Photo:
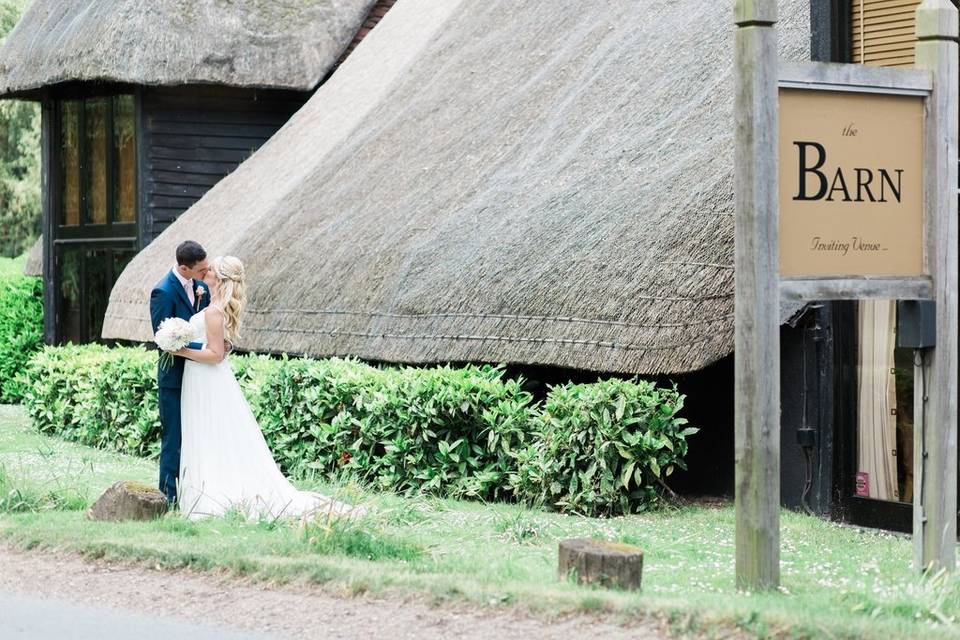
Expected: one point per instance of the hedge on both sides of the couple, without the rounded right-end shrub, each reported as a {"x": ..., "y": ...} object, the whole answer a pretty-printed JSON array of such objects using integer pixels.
[{"x": 446, "y": 431}]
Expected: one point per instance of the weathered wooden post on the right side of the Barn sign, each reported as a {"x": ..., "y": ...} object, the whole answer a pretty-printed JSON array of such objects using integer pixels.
[{"x": 935, "y": 504}]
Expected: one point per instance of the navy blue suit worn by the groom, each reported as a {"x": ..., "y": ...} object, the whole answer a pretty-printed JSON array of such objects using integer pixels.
[{"x": 169, "y": 300}]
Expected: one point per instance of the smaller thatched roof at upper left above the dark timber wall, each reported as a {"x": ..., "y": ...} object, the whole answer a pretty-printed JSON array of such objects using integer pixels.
[{"x": 289, "y": 44}]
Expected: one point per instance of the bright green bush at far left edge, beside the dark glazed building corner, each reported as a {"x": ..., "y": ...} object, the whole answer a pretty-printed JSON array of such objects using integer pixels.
[{"x": 21, "y": 331}]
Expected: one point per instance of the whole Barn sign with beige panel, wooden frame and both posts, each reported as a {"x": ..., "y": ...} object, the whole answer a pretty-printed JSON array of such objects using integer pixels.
[{"x": 846, "y": 188}]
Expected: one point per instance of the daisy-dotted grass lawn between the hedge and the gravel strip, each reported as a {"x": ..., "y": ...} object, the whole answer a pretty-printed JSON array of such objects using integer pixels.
[{"x": 837, "y": 582}]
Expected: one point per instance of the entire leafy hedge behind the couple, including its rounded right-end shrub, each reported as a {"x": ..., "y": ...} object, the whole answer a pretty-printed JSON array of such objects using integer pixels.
[{"x": 459, "y": 432}]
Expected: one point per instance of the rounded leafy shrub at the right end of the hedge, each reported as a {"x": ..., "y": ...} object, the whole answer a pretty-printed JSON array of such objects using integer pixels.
[{"x": 601, "y": 448}]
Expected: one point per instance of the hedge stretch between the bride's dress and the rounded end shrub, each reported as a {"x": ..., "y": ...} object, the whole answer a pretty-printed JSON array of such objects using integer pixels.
[{"x": 442, "y": 430}]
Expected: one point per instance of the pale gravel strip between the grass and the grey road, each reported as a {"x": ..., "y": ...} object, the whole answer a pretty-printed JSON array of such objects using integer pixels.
[{"x": 278, "y": 612}]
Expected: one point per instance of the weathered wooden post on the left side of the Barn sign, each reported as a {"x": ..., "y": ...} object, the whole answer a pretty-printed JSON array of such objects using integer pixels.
[{"x": 757, "y": 344}]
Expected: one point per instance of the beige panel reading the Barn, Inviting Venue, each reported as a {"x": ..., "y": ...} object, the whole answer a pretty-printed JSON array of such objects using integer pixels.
[{"x": 851, "y": 184}]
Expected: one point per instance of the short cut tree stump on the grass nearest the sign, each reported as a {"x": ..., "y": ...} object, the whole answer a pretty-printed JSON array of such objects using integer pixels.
[{"x": 609, "y": 564}]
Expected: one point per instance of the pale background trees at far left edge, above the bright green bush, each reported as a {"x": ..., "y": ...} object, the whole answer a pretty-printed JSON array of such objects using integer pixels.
[{"x": 19, "y": 159}]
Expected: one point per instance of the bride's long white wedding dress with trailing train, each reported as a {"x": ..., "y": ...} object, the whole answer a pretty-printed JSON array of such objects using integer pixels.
[{"x": 224, "y": 460}]
